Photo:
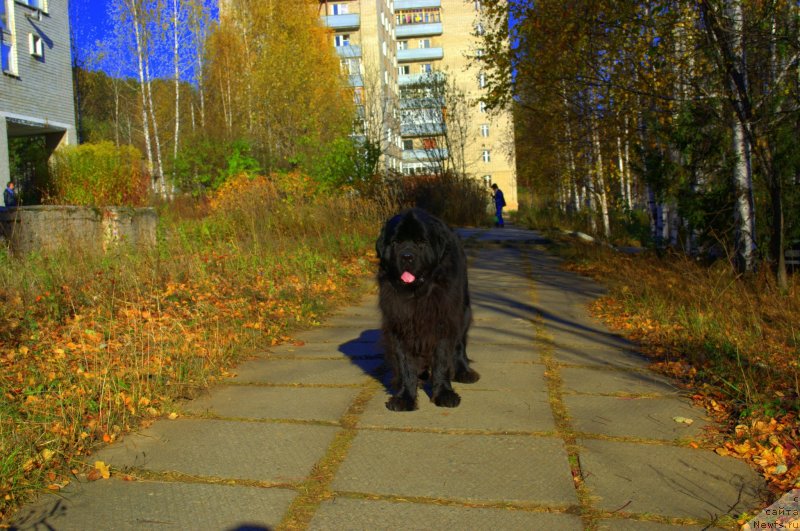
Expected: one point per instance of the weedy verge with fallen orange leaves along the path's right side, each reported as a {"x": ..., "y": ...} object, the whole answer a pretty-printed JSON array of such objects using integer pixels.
[{"x": 734, "y": 342}]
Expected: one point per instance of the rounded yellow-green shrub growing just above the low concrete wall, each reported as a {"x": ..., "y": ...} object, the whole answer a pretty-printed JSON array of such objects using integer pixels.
[{"x": 101, "y": 174}]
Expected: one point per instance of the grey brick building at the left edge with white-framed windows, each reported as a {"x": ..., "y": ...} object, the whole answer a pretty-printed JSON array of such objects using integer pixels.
[{"x": 36, "y": 93}]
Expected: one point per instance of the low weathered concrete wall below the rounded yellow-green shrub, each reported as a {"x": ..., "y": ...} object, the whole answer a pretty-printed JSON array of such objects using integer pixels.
[{"x": 84, "y": 229}]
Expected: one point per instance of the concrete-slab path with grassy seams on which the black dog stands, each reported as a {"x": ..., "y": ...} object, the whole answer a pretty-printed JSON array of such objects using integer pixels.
[{"x": 567, "y": 429}]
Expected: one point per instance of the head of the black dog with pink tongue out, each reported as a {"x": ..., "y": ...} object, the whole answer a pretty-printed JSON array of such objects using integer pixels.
[{"x": 410, "y": 247}]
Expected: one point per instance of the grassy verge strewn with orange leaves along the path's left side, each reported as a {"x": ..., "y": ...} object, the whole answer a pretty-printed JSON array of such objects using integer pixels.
[{"x": 91, "y": 346}]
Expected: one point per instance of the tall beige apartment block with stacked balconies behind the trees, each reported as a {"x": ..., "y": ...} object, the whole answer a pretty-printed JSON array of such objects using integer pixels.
[{"x": 421, "y": 53}]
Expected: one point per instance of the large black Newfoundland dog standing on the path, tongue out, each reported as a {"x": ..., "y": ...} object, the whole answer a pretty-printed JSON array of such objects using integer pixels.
[{"x": 424, "y": 299}]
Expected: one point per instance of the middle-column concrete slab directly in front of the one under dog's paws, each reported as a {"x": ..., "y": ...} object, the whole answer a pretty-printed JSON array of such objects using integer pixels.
[{"x": 468, "y": 467}]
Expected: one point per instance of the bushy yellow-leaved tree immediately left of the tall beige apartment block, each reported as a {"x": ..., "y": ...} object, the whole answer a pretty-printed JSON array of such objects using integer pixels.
[{"x": 277, "y": 81}]
